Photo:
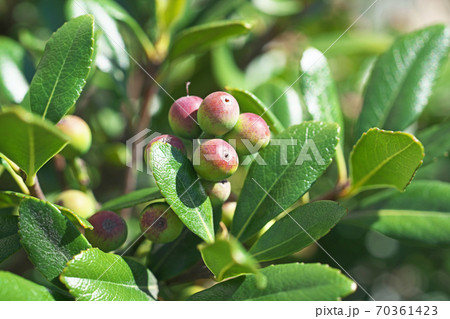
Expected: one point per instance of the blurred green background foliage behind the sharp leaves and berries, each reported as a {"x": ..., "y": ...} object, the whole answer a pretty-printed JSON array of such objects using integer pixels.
[{"x": 264, "y": 61}]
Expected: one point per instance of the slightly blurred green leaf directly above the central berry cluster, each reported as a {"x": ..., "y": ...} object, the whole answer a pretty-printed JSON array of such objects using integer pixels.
[{"x": 202, "y": 37}]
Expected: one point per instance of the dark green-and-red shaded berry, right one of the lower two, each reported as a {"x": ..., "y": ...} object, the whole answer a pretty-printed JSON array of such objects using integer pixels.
[{"x": 159, "y": 223}]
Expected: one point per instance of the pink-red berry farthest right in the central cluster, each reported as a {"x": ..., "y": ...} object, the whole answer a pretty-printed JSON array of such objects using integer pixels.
[{"x": 252, "y": 130}]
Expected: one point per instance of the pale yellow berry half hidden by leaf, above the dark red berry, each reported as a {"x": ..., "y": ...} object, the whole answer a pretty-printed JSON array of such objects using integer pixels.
[{"x": 82, "y": 204}]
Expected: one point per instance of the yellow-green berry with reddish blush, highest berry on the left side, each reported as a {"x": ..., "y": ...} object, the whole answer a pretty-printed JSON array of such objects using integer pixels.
[{"x": 79, "y": 133}]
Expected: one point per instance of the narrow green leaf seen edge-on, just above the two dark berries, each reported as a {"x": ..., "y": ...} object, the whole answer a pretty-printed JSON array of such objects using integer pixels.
[{"x": 132, "y": 199}]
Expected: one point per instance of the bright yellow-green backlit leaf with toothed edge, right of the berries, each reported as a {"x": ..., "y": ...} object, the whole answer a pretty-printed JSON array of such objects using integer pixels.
[{"x": 384, "y": 159}]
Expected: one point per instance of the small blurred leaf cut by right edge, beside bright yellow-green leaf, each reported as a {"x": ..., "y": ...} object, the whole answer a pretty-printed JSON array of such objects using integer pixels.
[{"x": 436, "y": 142}]
